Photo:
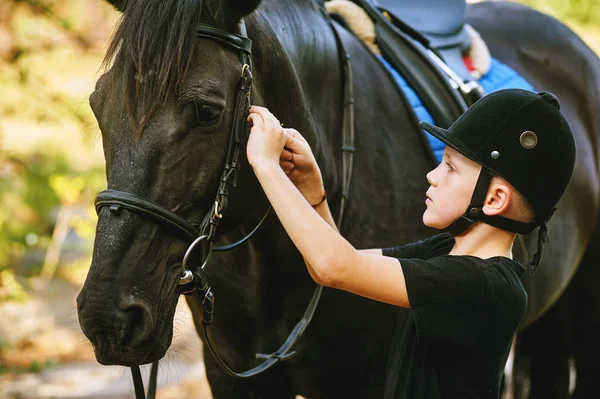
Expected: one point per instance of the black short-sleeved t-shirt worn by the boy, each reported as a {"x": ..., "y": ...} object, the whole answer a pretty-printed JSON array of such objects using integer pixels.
[{"x": 455, "y": 339}]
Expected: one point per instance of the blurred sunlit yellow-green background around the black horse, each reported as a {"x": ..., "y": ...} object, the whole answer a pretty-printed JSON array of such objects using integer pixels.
[{"x": 51, "y": 168}]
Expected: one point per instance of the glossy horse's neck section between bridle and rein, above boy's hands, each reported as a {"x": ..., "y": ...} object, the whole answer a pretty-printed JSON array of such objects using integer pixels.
[{"x": 299, "y": 71}]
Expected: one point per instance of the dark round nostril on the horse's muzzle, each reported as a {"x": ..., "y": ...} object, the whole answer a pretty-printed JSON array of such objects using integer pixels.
[{"x": 135, "y": 321}]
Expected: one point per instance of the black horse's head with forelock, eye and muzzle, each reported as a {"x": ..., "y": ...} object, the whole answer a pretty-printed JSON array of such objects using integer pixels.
[{"x": 166, "y": 112}]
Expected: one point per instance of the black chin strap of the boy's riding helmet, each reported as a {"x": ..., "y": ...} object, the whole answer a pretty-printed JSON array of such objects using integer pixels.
[{"x": 474, "y": 213}]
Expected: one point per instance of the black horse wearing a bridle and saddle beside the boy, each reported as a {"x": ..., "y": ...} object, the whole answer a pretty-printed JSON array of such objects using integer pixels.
[{"x": 165, "y": 108}]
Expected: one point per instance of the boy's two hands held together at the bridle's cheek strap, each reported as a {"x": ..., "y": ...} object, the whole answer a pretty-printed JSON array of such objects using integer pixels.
[{"x": 269, "y": 142}]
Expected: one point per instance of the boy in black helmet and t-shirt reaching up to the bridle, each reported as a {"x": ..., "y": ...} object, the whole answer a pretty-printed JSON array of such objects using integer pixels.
[{"x": 508, "y": 161}]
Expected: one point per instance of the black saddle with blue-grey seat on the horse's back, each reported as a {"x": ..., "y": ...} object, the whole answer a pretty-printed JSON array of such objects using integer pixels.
[{"x": 427, "y": 48}]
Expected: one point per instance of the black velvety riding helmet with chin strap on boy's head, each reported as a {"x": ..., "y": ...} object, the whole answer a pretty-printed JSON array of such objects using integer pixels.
[{"x": 522, "y": 137}]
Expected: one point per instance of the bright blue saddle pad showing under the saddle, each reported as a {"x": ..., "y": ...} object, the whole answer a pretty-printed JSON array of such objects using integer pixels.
[{"x": 500, "y": 76}]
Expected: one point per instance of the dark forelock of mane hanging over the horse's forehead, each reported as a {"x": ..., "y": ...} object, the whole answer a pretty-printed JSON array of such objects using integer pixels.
[{"x": 152, "y": 49}]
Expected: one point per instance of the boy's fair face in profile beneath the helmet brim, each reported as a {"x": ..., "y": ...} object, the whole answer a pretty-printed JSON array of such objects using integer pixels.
[{"x": 452, "y": 185}]
